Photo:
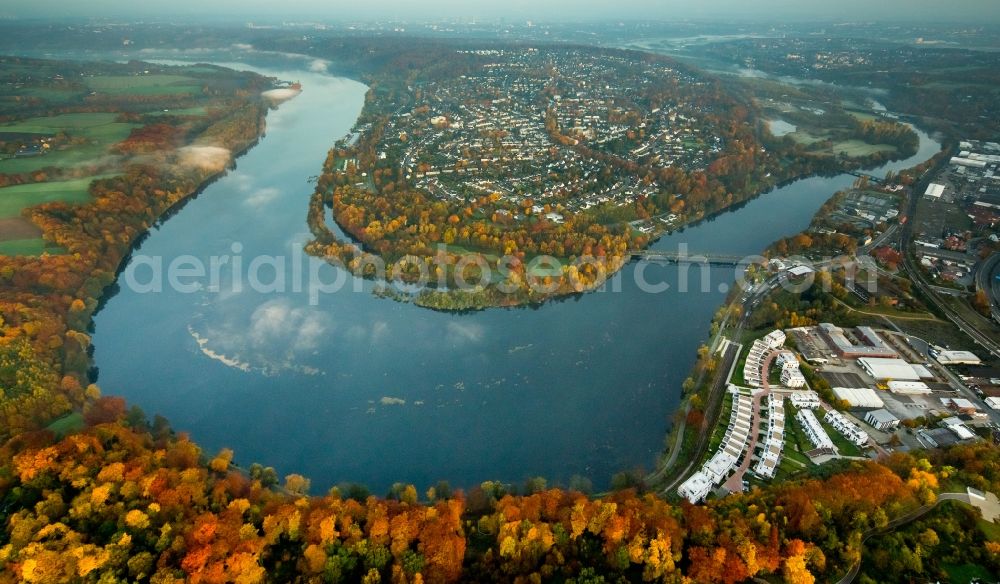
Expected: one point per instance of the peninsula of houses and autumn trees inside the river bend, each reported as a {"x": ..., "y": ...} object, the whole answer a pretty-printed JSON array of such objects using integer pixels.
[{"x": 399, "y": 200}]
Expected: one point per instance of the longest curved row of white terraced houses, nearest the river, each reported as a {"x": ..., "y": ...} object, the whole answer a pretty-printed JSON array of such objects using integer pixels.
[{"x": 734, "y": 443}]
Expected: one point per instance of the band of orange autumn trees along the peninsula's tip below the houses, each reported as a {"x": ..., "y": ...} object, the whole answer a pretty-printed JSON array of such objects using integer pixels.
[{"x": 419, "y": 236}]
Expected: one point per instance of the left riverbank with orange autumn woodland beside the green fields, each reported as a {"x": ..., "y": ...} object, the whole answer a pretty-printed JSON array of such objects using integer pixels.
[{"x": 47, "y": 303}]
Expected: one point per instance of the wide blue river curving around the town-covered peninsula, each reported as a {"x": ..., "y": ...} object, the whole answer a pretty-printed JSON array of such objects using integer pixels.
[{"x": 361, "y": 389}]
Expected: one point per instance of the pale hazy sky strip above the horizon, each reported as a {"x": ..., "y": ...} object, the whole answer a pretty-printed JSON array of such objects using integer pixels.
[{"x": 976, "y": 11}]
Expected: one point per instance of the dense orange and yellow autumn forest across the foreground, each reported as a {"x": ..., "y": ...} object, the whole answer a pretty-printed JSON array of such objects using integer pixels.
[{"x": 124, "y": 500}]
